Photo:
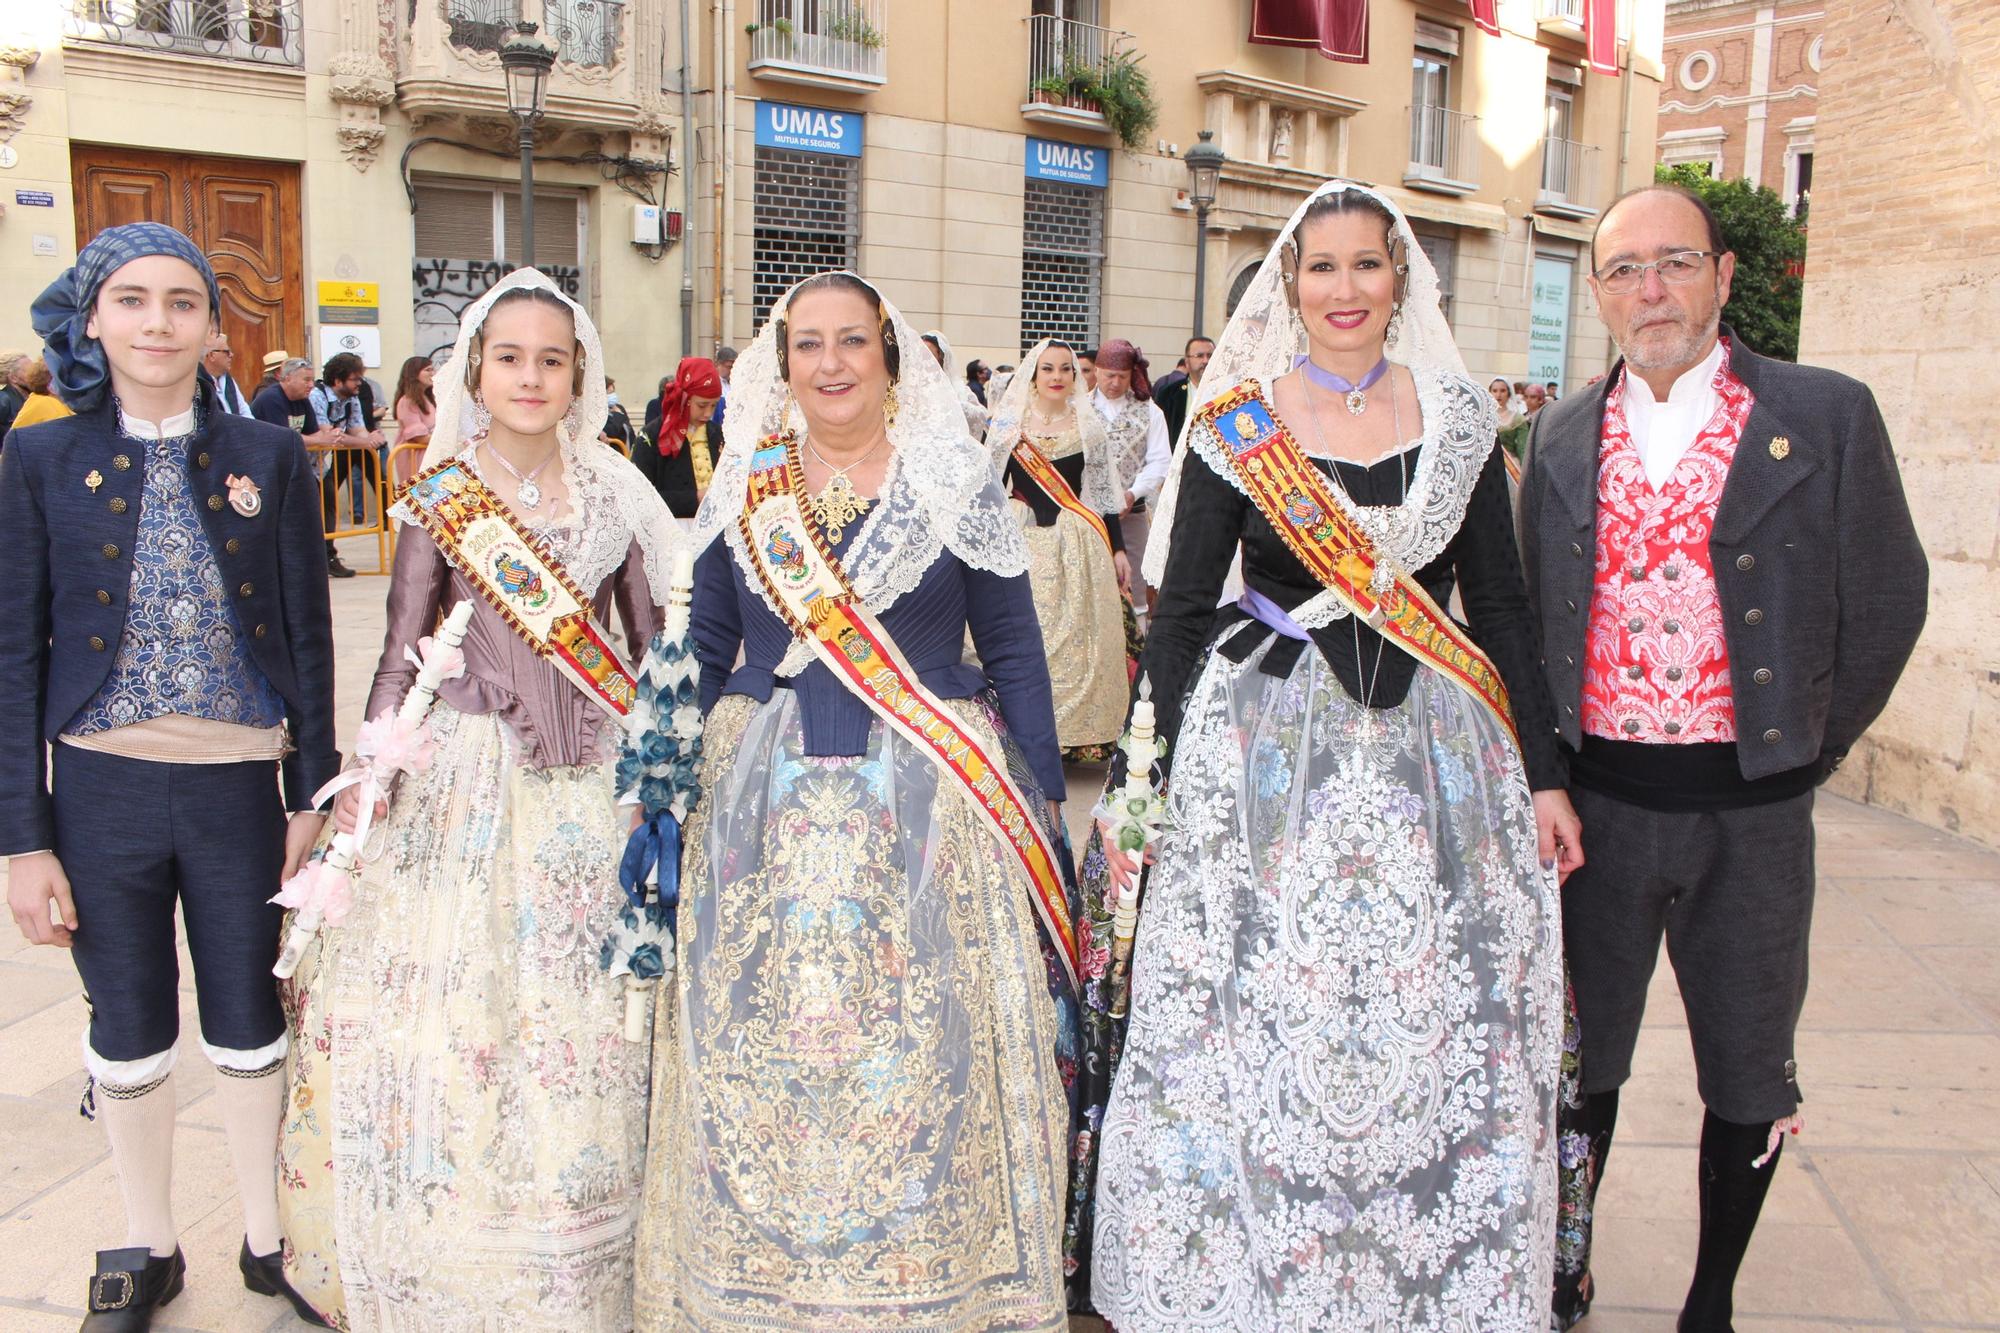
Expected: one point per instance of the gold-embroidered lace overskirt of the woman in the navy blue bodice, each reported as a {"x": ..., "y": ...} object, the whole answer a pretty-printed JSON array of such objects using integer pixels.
[{"x": 859, "y": 1120}]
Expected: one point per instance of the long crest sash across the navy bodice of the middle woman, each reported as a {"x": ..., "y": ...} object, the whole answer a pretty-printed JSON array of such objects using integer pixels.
[{"x": 809, "y": 587}]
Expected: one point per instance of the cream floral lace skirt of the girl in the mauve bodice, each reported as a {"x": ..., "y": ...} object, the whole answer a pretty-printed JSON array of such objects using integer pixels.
[{"x": 465, "y": 1060}]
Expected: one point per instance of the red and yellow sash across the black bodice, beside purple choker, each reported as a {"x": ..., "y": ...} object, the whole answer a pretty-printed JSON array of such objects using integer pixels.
[{"x": 1295, "y": 499}]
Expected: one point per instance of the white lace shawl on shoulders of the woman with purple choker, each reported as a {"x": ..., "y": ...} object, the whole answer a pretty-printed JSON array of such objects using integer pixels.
[{"x": 1459, "y": 431}]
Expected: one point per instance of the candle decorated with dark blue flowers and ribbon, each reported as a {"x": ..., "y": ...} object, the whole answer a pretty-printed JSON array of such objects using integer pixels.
[{"x": 659, "y": 770}]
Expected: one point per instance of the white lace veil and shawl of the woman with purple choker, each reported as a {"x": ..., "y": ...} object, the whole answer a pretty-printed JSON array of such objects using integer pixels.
[{"x": 1265, "y": 339}]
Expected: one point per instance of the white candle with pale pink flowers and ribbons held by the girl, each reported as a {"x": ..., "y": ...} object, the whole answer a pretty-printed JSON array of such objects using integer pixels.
[{"x": 389, "y": 746}]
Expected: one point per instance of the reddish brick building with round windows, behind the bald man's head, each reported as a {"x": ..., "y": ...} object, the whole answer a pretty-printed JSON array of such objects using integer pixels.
[{"x": 1743, "y": 87}]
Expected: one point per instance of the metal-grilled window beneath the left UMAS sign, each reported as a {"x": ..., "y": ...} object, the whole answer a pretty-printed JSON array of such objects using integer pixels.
[{"x": 809, "y": 219}]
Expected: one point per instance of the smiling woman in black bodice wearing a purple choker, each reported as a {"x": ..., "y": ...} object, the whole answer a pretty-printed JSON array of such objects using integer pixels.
[{"x": 1337, "y": 1098}]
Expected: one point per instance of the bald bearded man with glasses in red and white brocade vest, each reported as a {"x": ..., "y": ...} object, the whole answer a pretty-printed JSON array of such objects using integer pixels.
[{"x": 1727, "y": 583}]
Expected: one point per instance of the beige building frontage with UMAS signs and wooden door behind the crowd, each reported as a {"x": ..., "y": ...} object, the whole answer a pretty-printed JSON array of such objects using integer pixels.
[{"x": 359, "y": 151}]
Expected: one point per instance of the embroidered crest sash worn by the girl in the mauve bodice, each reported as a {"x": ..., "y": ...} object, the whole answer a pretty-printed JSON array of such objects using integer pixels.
[{"x": 533, "y": 593}]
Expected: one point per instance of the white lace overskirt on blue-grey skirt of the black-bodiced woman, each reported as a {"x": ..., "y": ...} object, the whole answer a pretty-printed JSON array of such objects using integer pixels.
[{"x": 1337, "y": 1102}]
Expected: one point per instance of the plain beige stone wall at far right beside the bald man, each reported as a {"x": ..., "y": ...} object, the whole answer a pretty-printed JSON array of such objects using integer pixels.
[{"x": 1903, "y": 289}]
